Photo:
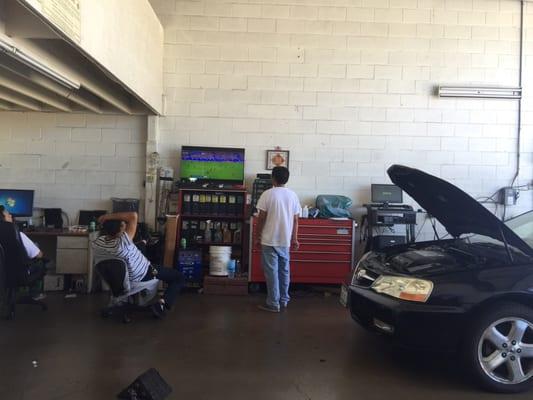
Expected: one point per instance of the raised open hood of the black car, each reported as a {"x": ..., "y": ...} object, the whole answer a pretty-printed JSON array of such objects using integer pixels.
[{"x": 454, "y": 209}]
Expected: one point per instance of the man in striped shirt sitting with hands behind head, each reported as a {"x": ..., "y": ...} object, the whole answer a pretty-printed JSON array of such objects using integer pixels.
[{"x": 116, "y": 242}]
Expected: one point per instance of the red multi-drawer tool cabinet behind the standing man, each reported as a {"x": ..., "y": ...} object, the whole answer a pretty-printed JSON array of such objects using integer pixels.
[{"x": 326, "y": 253}]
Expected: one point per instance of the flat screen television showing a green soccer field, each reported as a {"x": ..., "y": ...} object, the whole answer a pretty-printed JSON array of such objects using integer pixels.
[{"x": 212, "y": 165}]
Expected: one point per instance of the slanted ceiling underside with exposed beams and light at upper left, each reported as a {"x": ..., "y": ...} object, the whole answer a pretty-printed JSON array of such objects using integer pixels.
[{"x": 39, "y": 71}]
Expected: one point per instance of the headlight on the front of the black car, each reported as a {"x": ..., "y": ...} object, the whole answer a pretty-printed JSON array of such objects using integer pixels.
[{"x": 410, "y": 289}]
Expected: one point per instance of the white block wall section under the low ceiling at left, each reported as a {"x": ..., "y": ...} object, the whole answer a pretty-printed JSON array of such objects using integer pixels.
[{"x": 73, "y": 161}]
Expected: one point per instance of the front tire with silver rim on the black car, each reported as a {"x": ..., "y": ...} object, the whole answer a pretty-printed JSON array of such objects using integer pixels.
[{"x": 494, "y": 365}]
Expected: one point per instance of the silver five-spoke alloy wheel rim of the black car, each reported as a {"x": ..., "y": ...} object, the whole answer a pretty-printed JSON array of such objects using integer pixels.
[{"x": 505, "y": 350}]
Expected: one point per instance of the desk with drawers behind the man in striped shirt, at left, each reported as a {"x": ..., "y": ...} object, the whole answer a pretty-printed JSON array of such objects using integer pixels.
[{"x": 71, "y": 251}]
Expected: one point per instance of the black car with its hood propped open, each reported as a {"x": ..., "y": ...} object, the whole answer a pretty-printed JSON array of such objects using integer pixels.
[{"x": 471, "y": 292}]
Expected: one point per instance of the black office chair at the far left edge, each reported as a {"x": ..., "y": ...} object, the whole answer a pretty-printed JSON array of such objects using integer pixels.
[{"x": 15, "y": 267}]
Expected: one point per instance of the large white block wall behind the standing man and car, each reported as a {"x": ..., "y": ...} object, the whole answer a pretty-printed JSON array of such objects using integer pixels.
[{"x": 347, "y": 87}]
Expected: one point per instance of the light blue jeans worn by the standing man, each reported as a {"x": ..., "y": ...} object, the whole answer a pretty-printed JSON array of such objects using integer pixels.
[{"x": 277, "y": 274}]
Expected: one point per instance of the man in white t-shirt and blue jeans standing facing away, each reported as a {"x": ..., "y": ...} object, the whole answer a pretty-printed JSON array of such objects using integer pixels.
[{"x": 277, "y": 232}]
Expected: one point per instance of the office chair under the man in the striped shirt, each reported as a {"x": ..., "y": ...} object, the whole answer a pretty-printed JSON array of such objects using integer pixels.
[{"x": 125, "y": 298}]
